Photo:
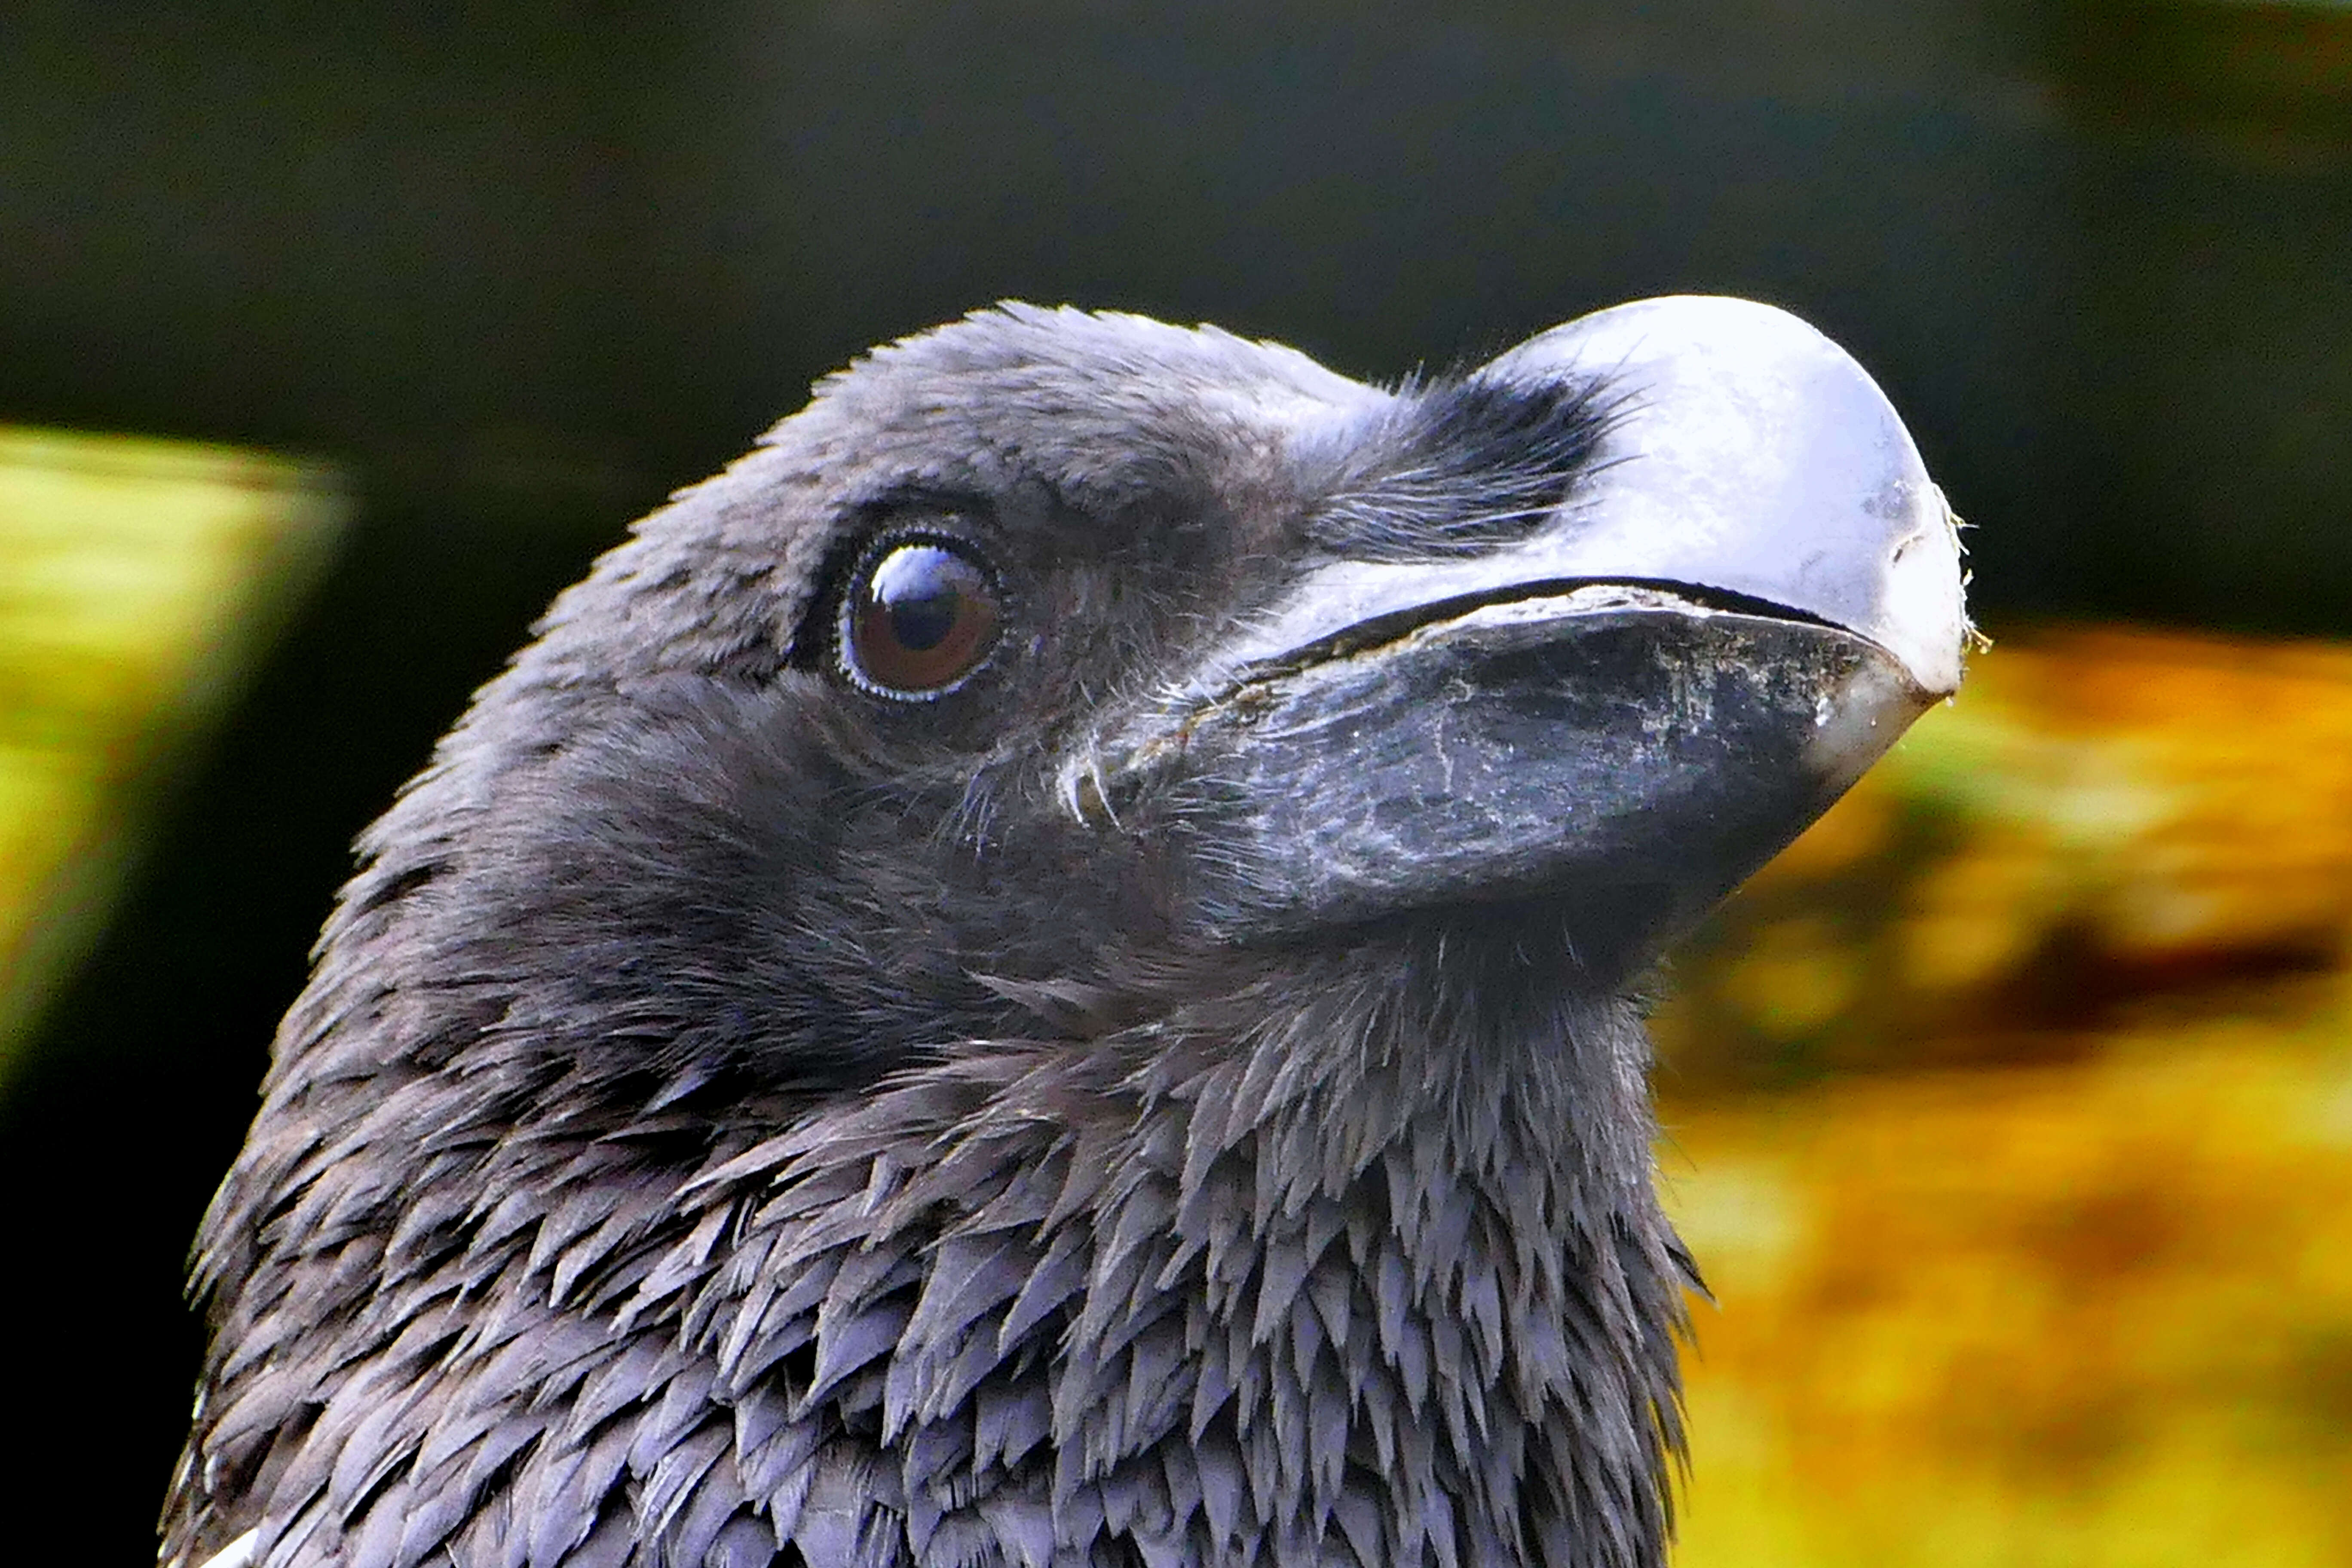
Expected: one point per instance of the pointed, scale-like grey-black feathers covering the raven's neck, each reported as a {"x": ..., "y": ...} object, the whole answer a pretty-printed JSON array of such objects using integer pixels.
[{"x": 1243, "y": 1285}]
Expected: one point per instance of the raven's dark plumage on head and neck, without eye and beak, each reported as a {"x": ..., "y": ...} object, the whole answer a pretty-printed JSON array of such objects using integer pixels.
[{"x": 742, "y": 1120}]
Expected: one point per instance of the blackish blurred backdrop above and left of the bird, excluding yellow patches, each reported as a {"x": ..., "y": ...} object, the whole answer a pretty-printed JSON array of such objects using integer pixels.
[{"x": 521, "y": 269}]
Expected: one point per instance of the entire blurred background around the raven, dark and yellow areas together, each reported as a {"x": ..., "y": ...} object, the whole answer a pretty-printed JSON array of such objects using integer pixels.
[{"x": 2012, "y": 1113}]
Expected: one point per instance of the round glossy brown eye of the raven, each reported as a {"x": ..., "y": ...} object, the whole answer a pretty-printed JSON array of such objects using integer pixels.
[{"x": 918, "y": 619}]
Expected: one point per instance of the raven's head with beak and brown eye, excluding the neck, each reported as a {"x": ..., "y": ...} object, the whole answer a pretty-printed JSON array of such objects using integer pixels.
[{"x": 1078, "y": 655}]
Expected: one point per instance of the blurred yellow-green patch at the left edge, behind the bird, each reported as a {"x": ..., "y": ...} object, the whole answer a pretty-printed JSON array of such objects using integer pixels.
[{"x": 138, "y": 584}]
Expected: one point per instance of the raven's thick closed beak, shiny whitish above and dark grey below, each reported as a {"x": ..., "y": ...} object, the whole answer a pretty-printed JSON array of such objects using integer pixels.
[{"x": 1749, "y": 594}]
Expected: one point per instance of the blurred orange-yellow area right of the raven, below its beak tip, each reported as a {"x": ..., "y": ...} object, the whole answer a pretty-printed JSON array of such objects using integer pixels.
[{"x": 2012, "y": 1123}]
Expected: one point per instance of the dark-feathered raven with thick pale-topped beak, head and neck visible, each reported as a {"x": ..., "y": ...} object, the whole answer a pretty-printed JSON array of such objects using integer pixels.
[{"x": 1050, "y": 972}]
